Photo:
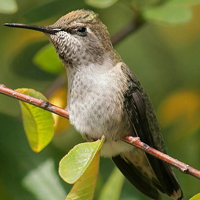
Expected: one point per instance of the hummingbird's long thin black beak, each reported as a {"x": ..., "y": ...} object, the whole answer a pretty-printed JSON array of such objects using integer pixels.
[{"x": 44, "y": 29}]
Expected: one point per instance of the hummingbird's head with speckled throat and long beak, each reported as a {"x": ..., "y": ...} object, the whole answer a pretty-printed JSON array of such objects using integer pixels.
[{"x": 79, "y": 37}]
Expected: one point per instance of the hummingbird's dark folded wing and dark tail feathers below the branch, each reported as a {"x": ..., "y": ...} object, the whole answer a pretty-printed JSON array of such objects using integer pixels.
[{"x": 144, "y": 123}]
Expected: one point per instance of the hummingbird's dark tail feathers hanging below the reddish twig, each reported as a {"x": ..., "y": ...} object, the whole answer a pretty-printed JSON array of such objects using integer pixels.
[{"x": 164, "y": 180}]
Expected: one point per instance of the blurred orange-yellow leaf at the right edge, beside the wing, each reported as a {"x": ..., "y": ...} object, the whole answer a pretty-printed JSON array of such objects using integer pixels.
[{"x": 181, "y": 111}]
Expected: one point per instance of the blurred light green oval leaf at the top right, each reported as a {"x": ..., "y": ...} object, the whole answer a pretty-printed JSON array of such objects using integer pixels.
[{"x": 168, "y": 13}]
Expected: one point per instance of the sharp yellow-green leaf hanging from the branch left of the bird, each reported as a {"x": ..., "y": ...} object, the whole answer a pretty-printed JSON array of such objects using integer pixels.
[{"x": 38, "y": 123}]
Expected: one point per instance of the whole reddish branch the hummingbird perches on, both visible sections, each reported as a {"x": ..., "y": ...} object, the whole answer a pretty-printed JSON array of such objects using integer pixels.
[{"x": 135, "y": 141}]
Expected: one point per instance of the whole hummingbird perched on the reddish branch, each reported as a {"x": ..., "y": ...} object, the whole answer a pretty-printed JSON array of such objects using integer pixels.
[{"x": 106, "y": 98}]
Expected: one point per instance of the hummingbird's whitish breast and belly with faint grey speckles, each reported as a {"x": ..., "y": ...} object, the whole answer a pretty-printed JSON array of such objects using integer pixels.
[{"x": 95, "y": 101}]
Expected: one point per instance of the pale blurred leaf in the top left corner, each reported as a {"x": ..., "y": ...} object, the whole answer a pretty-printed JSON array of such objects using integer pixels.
[{"x": 8, "y": 6}]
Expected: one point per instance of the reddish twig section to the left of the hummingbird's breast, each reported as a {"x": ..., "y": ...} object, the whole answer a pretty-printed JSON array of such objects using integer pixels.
[{"x": 34, "y": 101}]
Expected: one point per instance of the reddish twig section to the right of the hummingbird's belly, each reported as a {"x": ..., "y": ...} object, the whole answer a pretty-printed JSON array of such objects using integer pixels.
[{"x": 135, "y": 141}]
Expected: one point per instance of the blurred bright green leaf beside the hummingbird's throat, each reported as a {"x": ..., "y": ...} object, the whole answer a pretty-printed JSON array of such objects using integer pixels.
[{"x": 47, "y": 60}]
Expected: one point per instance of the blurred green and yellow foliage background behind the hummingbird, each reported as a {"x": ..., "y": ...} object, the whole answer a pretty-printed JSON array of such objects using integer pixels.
[{"x": 165, "y": 55}]
